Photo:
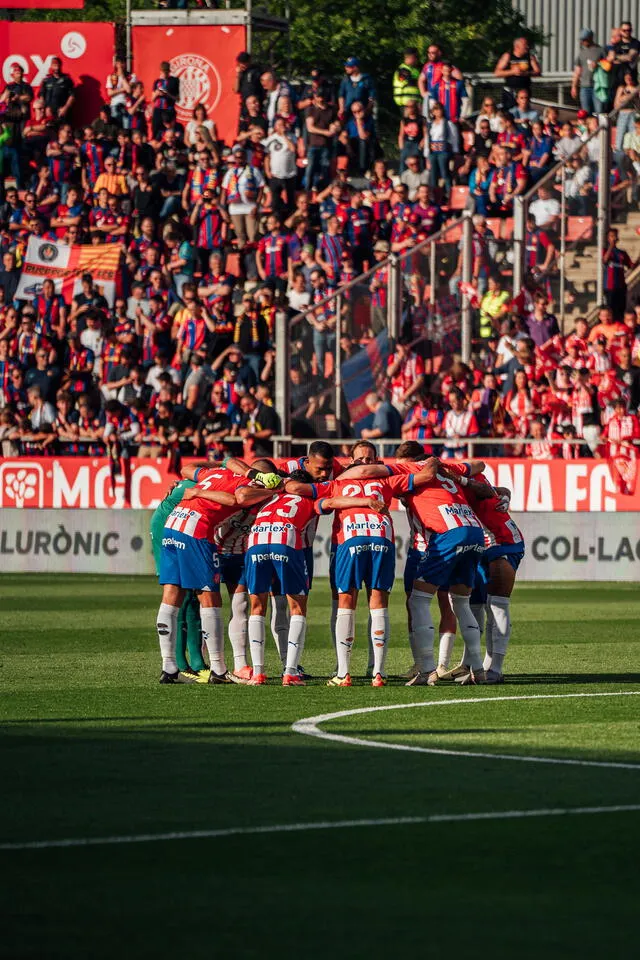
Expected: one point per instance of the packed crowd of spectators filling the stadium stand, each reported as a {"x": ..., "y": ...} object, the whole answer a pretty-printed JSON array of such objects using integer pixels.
[{"x": 217, "y": 236}]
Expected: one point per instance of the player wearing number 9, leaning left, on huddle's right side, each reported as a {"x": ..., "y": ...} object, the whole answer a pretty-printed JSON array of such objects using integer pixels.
[{"x": 455, "y": 542}]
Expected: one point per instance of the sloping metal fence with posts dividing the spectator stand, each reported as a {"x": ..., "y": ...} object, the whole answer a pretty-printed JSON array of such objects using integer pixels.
[{"x": 427, "y": 295}]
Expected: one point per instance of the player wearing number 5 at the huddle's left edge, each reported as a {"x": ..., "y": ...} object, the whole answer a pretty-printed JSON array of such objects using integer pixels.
[{"x": 189, "y": 561}]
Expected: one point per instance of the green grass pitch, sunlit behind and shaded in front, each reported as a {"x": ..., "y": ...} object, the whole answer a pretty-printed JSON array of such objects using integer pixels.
[{"x": 92, "y": 746}]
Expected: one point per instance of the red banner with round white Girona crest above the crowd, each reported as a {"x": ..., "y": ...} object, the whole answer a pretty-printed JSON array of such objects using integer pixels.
[{"x": 203, "y": 58}]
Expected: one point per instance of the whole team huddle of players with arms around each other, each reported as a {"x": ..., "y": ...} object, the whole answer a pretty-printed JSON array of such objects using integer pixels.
[{"x": 252, "y": 527}]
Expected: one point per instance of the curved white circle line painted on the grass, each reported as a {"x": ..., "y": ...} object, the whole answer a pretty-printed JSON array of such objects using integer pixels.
[{"x": 309, "y": 727}]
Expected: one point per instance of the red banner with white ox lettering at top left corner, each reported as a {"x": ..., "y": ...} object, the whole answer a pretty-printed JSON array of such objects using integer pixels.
[{"x": 86, "y": 50}]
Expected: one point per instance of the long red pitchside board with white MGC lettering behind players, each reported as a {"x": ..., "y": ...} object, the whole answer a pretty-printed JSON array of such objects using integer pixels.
[{"x": 563, "y": 486}]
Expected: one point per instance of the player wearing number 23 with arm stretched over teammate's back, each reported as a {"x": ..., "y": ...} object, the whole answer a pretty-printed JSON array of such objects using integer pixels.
[{"x": 275, "y": 552}]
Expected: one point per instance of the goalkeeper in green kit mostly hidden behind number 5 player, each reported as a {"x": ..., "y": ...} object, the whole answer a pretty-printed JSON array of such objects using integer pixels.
[{"x": 188, "y": 634}]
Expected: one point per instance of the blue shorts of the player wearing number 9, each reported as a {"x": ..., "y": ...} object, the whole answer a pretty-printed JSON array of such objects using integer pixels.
[{"x": 452, "y": 557}]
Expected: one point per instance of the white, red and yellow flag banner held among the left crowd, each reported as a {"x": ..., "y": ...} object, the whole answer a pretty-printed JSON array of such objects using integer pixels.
[{"x": 65, "y": 265}]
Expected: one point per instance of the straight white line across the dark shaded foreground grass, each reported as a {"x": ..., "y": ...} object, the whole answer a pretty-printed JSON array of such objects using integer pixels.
[{"x": 321, "y": 825}]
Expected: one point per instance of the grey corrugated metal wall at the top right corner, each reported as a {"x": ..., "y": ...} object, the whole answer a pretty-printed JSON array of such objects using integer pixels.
[{"x": 564, "y": 19}]
